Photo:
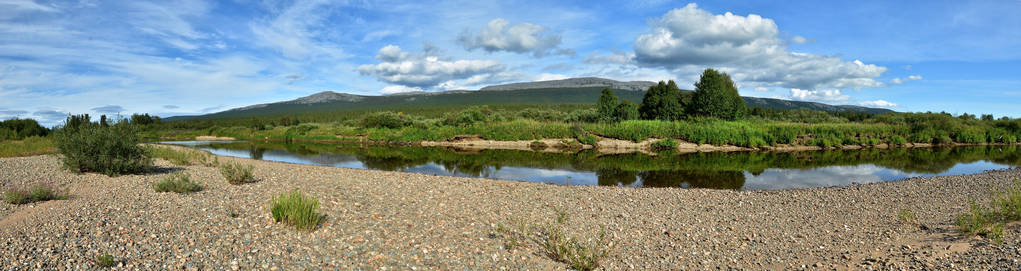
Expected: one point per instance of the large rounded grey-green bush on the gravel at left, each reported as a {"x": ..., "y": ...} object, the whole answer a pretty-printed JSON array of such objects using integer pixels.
[{"x": 112, "y": 151}]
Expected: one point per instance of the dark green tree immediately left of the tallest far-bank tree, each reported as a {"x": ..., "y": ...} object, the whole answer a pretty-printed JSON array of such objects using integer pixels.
[{"x": 662, "y": 102}]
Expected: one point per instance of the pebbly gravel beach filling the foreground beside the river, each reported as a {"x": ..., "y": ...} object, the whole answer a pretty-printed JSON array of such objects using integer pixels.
[{"x": 379, "y": 220}]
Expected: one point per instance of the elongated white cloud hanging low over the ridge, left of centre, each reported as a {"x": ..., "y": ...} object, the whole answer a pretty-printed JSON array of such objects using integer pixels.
[{"x": 425, "y": 70}]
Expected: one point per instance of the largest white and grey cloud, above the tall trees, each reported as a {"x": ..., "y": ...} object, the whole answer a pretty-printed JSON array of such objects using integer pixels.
[{"x": 750, "y": 49}]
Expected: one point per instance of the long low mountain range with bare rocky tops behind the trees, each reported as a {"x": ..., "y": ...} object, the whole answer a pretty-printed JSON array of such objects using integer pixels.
[{"x": 567, "y": 92}]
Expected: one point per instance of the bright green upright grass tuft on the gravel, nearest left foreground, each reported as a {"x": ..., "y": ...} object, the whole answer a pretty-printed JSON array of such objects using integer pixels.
[{"x": 298, "y": 210}]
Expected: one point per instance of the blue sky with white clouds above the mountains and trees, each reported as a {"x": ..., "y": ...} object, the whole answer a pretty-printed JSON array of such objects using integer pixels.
[{"x": 195, "y": 57}]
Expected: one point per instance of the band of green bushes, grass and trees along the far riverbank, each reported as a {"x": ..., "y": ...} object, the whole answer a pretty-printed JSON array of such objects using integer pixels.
[{"x": 712, "y": 114}]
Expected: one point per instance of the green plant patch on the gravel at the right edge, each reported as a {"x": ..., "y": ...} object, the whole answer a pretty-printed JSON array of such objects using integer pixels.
[{"x": 989, "y": 221}]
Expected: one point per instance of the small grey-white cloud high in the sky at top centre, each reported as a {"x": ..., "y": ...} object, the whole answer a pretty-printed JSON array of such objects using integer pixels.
[{"x": 499, "y": 35}]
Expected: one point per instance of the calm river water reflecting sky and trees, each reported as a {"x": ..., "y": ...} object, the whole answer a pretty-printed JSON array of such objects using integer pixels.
[{"x": 750, "y": 171}]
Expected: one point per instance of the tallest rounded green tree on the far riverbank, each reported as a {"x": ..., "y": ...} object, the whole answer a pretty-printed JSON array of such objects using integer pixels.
[{"x": 716, "y": 97}]
